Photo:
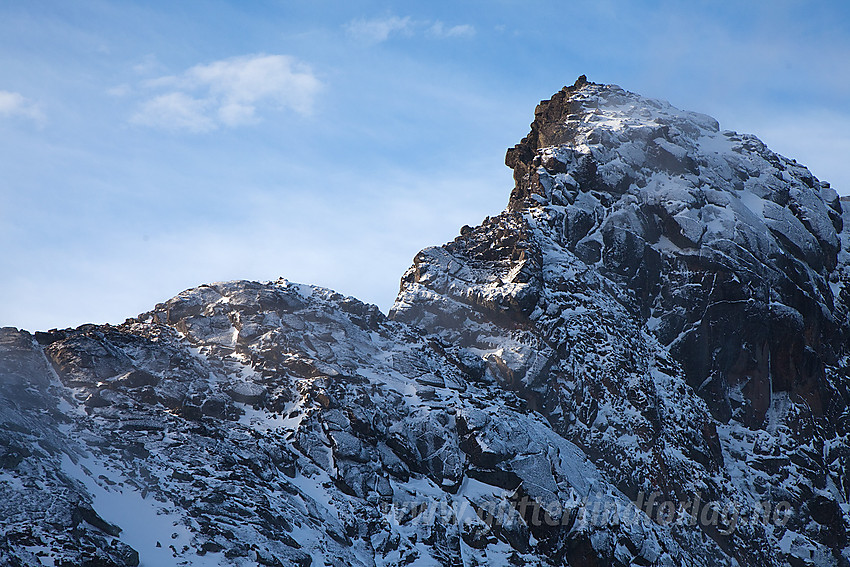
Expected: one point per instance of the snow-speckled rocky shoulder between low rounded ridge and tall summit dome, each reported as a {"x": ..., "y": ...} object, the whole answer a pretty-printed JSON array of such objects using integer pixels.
[{"x": 549, "y": 328}]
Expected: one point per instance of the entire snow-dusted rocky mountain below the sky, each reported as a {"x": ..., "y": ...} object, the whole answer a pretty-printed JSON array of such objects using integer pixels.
[{"x": 642, "y": 361}]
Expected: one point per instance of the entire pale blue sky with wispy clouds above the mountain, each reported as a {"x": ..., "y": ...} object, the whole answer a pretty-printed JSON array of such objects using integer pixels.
[{"x": 150, "y": 147}]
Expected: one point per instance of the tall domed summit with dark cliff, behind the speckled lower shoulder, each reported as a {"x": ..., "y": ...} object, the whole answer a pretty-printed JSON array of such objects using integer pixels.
[{"x": 729, "y": 249}]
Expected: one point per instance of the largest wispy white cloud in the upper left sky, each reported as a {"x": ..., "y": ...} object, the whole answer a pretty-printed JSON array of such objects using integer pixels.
[{"x": 229, "y": 92}]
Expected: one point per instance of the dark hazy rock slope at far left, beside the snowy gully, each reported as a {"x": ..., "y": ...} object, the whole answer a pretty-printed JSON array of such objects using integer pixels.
[{"x": 38, "y": 504}]
